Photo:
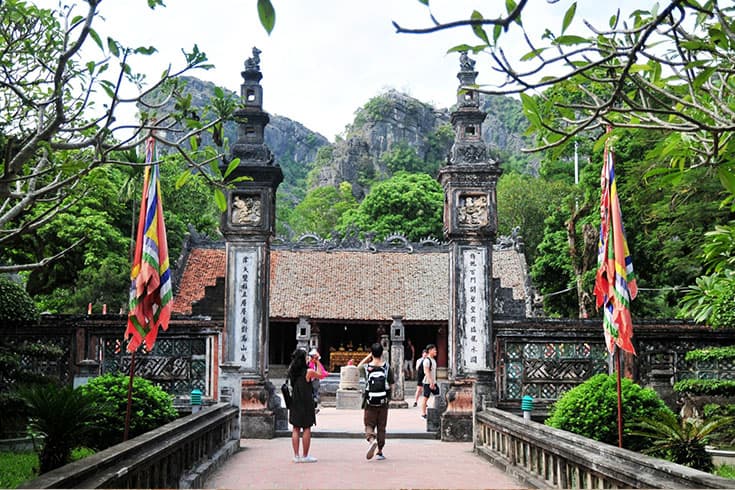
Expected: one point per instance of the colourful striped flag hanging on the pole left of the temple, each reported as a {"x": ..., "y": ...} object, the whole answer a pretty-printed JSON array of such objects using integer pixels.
[{"x": 150, "y": 279}]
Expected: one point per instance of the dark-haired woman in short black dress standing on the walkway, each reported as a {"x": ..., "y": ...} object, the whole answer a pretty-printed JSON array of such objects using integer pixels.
[{"x": 301, "y": 414}]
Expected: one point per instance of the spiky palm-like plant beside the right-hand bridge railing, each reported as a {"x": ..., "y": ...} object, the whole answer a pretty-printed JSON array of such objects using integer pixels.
[{"x": 680, "y": 441}]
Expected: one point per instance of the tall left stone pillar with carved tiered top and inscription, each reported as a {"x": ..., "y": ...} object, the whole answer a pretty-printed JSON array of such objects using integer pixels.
[{"x": 248, "y": 225}]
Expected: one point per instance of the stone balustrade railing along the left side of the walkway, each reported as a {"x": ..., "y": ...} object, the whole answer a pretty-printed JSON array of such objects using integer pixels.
[{"x": 180, "y": 454}]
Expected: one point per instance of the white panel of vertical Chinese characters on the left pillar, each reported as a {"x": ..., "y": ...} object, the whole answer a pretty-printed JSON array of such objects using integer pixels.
[{"x": 244, "y": 300}]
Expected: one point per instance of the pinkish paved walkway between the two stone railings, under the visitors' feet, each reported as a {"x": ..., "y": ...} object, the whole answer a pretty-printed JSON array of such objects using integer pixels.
[{"x": 409, "y": 463}]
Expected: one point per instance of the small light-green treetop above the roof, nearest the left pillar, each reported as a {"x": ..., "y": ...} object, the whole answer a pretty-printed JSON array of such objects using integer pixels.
[{"x": 322, "y": 208}]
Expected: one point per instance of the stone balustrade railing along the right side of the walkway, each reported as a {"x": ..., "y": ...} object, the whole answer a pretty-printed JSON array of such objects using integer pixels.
[{"x": 544, "y": 457}]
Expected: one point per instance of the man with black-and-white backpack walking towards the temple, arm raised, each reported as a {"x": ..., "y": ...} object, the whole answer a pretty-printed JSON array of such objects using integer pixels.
[{"x": 379, "y": 381}]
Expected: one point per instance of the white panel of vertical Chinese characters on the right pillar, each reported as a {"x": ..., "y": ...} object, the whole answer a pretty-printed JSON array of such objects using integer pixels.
[{"x": 474, "y": 333}]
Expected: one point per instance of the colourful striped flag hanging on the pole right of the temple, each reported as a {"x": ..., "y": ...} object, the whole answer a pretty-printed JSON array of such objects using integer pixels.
[{"x": 615, "y": 283}]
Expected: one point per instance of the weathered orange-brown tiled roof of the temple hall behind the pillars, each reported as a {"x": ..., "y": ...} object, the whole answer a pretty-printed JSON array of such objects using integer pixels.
[{"x": 354, "y": 285}]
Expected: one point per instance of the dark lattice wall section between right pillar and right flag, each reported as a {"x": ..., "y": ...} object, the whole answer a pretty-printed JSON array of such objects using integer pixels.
[{"x": 546, "y": 370}]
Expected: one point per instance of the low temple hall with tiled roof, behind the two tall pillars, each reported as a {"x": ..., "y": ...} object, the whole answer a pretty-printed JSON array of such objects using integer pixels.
[{"x": 349, "y": 290}]
